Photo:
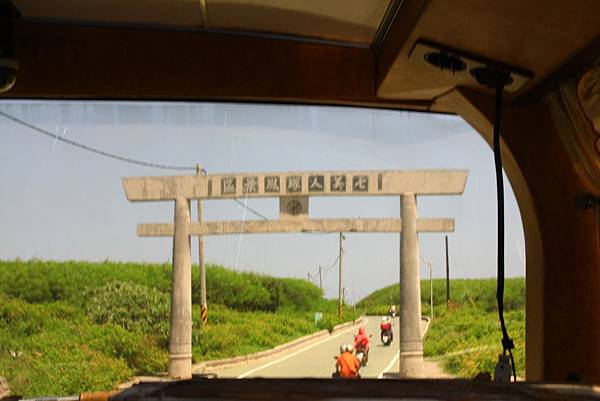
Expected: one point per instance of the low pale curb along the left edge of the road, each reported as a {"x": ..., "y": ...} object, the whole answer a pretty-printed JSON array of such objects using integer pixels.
[{"x": 208, "y": 366}]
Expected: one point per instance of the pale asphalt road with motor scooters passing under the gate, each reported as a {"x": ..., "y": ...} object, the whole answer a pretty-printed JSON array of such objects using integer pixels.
[{"x": 316, "y": 359}]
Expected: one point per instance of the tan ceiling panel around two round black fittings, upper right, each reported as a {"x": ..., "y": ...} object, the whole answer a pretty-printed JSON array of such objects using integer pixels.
[{"x": 535, "y": 35}]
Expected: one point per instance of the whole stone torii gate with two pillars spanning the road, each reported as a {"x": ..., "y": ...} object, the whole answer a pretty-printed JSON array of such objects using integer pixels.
[{"x": 294, "y": 190}]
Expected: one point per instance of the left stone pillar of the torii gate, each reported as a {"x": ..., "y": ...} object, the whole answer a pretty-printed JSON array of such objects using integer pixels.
[{"x": 180, "y": 340}]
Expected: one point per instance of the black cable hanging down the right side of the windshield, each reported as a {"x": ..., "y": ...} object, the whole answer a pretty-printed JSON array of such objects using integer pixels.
[{"x": 507, "y": 343}]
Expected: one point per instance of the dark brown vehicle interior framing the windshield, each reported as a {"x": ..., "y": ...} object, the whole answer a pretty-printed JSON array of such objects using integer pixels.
[{"x": 529, "y": 69}]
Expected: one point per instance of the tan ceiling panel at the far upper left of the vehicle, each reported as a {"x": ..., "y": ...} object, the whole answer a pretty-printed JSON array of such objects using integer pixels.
[{"x": 153, "y": 12}]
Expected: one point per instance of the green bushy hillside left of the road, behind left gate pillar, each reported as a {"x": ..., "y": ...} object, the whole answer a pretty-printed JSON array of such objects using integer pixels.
[{"x": 68, "y": 327}]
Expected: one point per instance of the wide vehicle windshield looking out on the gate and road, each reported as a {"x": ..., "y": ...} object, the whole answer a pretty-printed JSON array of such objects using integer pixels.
[{"x": 88, "y": 304}]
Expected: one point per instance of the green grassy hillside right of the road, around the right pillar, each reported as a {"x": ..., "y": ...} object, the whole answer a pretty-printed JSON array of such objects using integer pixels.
[{"x": 465, "y": 338}]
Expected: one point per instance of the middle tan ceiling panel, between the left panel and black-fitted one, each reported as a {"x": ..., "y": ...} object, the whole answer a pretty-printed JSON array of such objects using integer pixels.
[{"x": 353, "y": 21}]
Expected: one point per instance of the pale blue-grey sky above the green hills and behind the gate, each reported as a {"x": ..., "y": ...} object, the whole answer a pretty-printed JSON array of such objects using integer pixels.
[{"x": 59, "y": 202}]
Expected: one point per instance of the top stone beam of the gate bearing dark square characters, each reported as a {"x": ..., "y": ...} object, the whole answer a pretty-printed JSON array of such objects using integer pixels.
[{"x": 312, "y": 183}]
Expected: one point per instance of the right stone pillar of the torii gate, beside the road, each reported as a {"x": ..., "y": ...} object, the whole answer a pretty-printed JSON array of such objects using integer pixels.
[{"x": 411, "y": 340}]
